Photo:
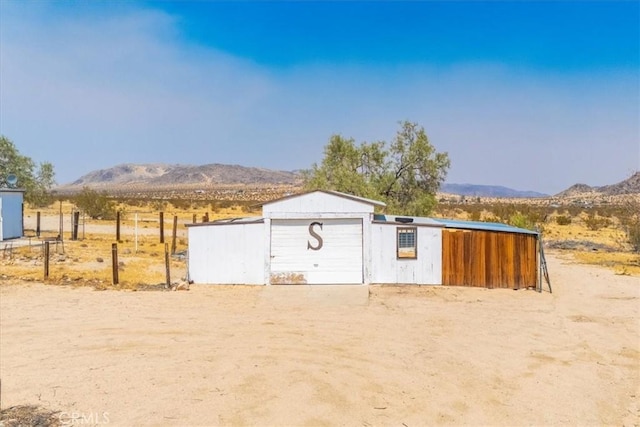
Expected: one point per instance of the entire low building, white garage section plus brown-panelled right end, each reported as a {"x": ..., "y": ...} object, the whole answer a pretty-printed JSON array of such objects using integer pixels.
[{"x": 328, "y": 237}]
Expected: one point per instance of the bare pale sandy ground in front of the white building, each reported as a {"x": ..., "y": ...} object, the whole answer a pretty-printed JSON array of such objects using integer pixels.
[{"x": 412, "y": 356}]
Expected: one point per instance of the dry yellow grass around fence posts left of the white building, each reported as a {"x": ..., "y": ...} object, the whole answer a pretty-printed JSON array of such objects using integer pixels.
[{"x": 88, "y": 261}]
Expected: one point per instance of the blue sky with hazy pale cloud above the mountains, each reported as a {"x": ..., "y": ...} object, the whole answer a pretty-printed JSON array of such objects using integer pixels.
[{"x": 529, "y": 95}]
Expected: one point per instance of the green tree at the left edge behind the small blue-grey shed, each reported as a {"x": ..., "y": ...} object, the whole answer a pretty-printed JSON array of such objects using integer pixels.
[{"x": 36, "y": 182}]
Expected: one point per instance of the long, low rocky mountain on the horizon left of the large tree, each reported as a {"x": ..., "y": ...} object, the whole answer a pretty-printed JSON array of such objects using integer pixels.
[{"x": 158, "y": 175}]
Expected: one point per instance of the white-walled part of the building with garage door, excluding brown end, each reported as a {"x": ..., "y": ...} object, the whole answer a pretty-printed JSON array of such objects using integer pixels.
[{"x": 320, "y": 237}]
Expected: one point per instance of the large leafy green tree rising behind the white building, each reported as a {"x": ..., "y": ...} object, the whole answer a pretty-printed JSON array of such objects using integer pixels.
[{"x": 406, "y": 175}]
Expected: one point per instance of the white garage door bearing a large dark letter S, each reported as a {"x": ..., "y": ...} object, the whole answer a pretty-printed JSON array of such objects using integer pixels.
[{"x": 316, "y": 251}]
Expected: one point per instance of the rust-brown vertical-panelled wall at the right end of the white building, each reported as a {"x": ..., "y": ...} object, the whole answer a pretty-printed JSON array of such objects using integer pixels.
[{"x": 489, "y": 259}]
